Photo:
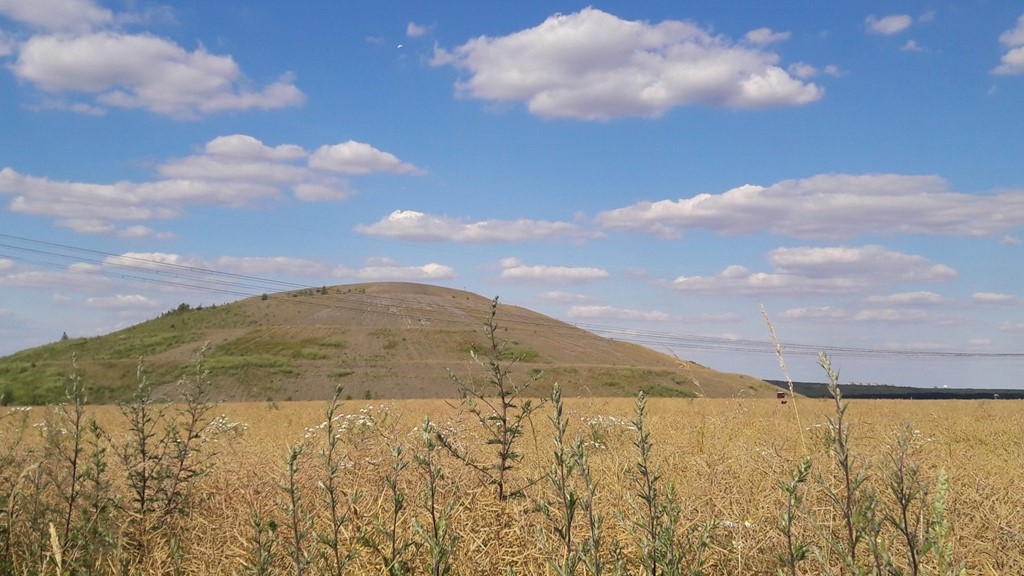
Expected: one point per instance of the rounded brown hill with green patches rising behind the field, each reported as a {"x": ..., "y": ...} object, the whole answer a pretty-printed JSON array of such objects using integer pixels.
[{"x": 377, "y": 341}]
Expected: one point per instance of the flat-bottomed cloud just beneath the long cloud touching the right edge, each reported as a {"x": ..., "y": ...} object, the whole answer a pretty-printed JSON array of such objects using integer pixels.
[{"x": 821, "y": 271}]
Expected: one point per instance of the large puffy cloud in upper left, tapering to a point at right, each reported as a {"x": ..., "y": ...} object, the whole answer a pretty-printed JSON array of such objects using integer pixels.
[{"x": 146, "y": 72}]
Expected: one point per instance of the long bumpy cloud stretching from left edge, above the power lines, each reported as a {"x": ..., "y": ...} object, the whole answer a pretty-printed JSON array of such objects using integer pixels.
[{"x": 236, "y": 172}]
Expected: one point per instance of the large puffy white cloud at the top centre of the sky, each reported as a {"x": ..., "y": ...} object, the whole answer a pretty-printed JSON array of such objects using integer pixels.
[{"x": 594, "y": 66}]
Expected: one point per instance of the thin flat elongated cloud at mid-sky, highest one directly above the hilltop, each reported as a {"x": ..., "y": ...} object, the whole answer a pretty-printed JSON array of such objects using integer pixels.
[{"x": 410, "y": 225}]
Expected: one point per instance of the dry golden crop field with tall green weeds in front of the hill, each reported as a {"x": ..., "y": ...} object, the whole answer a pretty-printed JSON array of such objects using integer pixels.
[{"x": 260, "y": 505}]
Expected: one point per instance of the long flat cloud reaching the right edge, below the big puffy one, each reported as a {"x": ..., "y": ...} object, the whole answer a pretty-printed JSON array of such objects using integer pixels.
[{"x": 830, "y": 208}]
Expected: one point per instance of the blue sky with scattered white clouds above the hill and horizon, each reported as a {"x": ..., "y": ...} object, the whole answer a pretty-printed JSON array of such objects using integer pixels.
[{"x": 652, "y": 172}]
